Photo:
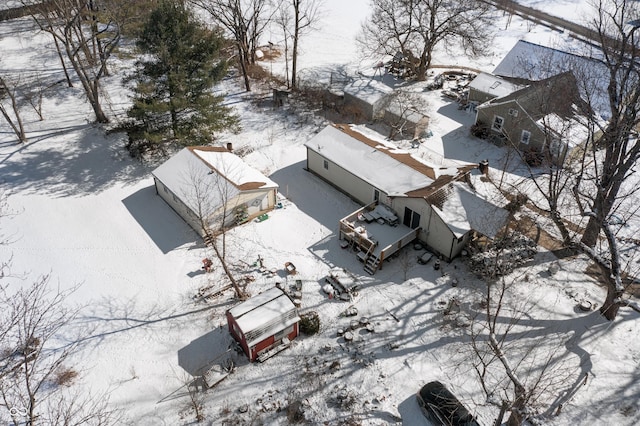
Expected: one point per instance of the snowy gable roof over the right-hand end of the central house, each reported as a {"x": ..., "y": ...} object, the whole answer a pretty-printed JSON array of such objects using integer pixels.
[{"x": 464, "y": 210}]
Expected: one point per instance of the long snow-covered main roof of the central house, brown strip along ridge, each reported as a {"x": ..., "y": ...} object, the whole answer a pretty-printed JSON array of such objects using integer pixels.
[{"x": 377, "y": 162}]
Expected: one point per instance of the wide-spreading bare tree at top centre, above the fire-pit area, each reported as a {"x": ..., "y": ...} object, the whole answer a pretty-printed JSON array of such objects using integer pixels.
[{"x": 414, "y": 28}]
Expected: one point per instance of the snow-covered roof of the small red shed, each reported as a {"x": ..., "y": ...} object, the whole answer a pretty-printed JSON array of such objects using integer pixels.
[{"x": 264, "y": 314}]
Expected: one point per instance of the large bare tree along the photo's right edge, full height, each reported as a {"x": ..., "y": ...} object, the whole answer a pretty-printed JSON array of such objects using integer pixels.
[{"x": 599, "y": 177}]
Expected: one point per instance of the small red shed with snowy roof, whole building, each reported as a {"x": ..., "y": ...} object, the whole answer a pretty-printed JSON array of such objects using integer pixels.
[{"x": 266, "y": 322}]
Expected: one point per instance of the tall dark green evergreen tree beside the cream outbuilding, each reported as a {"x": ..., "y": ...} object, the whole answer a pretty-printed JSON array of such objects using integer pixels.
[{"x": 173, "y": 102}]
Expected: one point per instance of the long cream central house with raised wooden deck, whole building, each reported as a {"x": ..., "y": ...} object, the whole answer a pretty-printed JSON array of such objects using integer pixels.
[{"x": 403, "y": 197}]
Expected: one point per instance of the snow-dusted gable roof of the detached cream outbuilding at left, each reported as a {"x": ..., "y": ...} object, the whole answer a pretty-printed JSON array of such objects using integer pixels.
[{"x": 215, "y": 170}]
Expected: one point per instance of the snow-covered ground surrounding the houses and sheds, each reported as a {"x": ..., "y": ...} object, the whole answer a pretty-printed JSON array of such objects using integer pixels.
[{"x": 86, "y": 213}]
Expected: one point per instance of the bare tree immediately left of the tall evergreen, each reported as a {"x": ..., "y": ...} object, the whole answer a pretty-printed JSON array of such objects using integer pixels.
[{"x": 87, "y": 36}]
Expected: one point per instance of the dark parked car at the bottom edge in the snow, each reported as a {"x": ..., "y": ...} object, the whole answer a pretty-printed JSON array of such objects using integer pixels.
[{"x": 441, "y": 407}]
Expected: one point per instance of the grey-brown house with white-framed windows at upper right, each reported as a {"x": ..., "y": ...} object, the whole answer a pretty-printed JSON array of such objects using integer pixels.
[{"x": 540, "y": 119}]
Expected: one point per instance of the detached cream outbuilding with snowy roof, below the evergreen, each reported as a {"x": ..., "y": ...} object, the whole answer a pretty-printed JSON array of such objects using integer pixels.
[{"x": 213, "y": 187}]
